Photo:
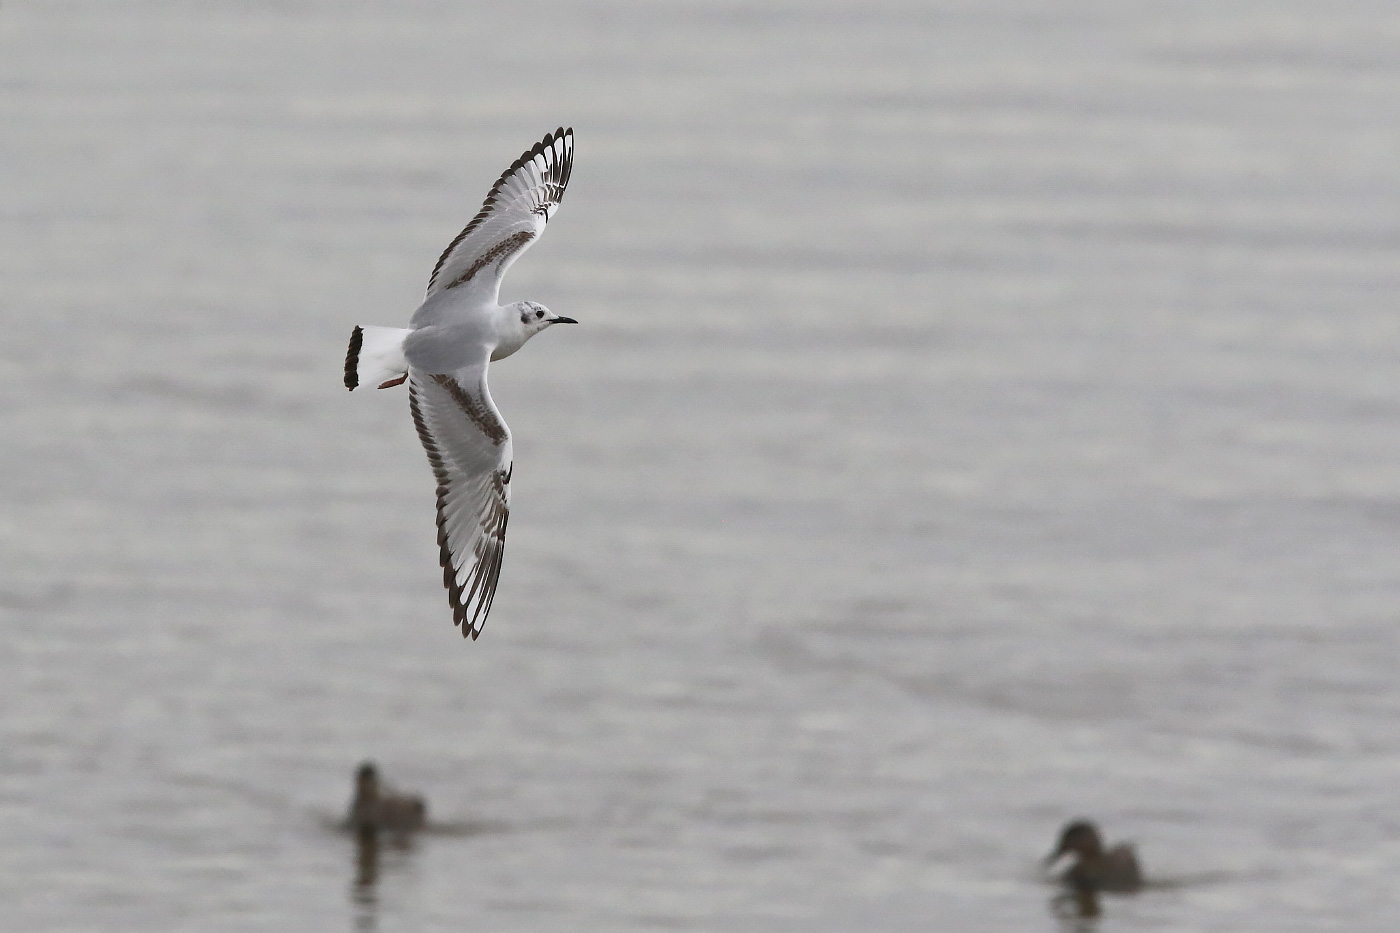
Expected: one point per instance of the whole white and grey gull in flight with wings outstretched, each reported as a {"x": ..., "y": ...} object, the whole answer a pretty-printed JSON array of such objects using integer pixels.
[{"x": 444, "y": 354}]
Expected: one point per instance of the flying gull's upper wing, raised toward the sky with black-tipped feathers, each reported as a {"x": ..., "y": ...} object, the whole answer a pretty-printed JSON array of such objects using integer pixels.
[{"x": 513, "y": 216}]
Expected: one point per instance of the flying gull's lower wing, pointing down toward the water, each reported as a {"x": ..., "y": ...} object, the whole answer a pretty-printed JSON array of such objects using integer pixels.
[{"x": 470, "y": 449}]
